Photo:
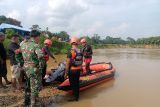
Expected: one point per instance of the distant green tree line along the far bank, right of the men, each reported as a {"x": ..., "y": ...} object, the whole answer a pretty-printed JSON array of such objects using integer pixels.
[{"x": 96, "y": 39}]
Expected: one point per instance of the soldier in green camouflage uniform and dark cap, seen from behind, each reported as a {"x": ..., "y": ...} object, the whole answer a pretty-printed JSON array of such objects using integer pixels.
[{"x": 33, "y": 63}]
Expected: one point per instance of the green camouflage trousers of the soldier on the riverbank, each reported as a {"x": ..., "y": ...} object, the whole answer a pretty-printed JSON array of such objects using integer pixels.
[{"x": 33, "y": 84}]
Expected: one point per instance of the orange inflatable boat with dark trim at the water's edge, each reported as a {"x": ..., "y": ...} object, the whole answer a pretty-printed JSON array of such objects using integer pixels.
[{"x": 100, "y": 72}]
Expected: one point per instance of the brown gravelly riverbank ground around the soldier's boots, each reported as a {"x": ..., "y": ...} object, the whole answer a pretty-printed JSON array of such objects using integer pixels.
[{"x": 48, "y": 96}]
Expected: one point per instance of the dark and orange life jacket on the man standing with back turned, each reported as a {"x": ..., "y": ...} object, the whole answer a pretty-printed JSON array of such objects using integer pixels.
[{"x": 77, "y": 58}]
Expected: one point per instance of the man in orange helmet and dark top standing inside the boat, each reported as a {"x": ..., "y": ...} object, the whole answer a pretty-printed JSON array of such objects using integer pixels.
[{"x": 87, "y": 53}]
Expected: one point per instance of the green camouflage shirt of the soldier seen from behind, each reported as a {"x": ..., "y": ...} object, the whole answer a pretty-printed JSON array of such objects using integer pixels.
[{"x": 32, "y": 53}]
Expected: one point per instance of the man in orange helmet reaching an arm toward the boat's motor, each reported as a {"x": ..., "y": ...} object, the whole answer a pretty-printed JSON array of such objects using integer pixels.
[{"x": 47, "y": 54}]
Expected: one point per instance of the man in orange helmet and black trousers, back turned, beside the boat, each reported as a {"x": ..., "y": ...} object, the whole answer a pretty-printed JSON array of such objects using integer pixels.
[{"x": 73, "y": 67}]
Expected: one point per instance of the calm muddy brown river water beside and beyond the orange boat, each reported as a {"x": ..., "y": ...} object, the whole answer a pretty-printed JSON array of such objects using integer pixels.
[{"x": 136, "y": 82}]
